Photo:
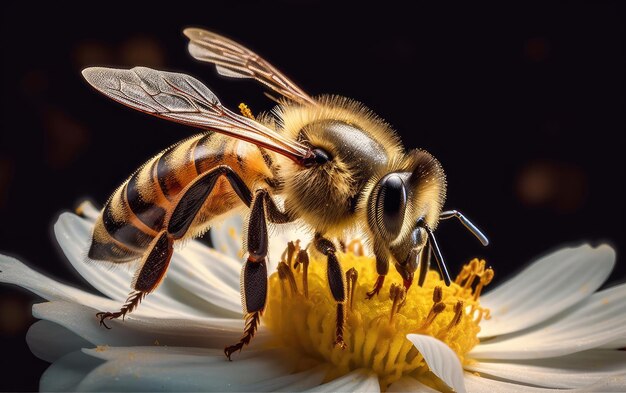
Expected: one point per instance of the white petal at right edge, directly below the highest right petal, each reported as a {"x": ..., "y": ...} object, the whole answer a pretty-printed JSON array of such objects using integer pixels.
[{"x": 598, "y": 320}]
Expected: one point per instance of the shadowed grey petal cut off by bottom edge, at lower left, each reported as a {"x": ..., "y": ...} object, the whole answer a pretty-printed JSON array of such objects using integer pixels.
[{"x": 65, "y": 374}]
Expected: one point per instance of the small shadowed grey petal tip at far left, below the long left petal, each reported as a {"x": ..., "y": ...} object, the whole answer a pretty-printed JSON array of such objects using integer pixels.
[{"x": 49, "y": 341}]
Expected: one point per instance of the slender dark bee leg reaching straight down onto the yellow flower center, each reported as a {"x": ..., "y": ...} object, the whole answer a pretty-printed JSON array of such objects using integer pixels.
[{"x": 336, "y": 281}]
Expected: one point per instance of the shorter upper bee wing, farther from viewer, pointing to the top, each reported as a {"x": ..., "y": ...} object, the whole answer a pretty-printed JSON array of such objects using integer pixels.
[{"x": 236, "y": 61}]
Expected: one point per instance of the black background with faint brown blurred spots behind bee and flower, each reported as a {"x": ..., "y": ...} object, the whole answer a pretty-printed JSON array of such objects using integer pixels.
[{"x": 523, "y": 105}]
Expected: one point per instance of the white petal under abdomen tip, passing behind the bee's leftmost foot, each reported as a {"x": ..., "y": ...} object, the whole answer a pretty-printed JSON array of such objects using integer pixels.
[{"x": 74, "y": 234}]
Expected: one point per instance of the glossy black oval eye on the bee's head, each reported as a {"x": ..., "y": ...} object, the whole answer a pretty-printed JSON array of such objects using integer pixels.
[{"x": 391, "y": 204}]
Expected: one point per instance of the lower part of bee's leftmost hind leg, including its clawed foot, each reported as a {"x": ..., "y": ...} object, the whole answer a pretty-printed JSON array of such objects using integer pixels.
[{"x": 153, "y": 267}]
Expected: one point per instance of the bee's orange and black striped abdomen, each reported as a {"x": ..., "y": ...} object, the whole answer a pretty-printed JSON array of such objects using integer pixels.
[{"x": 142, "y": 205}]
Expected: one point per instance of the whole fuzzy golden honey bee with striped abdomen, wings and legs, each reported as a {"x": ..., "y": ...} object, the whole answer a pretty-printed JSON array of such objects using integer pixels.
[{"x": 337, "y": 166}]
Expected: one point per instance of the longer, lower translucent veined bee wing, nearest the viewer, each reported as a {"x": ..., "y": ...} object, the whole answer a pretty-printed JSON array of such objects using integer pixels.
[{"x": 184, "y": 99}]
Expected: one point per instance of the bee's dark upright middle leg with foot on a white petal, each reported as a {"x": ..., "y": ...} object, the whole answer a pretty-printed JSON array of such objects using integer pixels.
[{"x": 254, "y": 274}]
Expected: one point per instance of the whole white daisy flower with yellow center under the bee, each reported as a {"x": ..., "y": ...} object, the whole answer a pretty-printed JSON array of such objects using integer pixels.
[{"x": 546, "y": 329}]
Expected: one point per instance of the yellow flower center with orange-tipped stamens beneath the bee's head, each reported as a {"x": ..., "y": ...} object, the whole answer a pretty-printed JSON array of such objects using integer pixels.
[{"x": 301, "y": 313}]
